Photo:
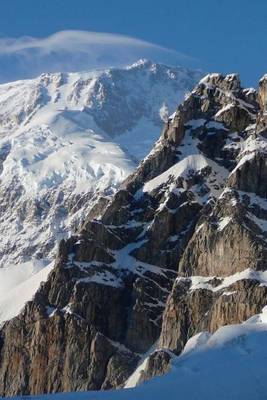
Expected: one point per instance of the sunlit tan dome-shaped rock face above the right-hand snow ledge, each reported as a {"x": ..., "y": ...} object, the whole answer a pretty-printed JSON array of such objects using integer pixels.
[{"x": 229, "y": 241}]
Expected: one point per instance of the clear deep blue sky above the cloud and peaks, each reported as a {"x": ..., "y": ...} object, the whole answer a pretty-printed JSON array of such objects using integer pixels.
[{"x": 221, "y": 35}]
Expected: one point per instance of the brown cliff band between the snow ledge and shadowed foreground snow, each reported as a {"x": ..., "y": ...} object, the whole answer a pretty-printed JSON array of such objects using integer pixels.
[{"x": 191, "y": 310}]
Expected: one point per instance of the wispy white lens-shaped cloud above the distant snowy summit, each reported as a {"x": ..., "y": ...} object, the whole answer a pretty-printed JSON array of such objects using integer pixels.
[{"x": 68, "y": 51}]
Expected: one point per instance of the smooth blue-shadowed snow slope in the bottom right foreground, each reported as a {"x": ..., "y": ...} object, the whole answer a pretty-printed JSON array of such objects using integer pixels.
[{"x": 227, "y": 365}]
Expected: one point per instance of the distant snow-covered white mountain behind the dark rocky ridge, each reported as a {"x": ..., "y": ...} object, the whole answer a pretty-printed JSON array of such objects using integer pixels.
[{"x": 67, "y": 138}]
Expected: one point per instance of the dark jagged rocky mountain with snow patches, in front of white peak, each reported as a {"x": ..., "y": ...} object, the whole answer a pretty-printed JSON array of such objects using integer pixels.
[{"x": 179, "y": 249}]
